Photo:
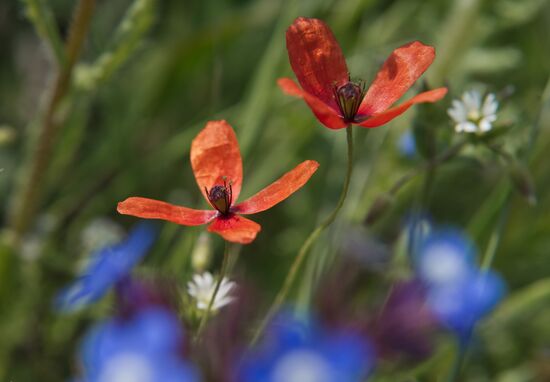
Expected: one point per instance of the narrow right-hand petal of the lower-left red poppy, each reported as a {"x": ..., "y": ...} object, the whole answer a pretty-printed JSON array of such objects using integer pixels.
[{"x": 278, "y": 191}]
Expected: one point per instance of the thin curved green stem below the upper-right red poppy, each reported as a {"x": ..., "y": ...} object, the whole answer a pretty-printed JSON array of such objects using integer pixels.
[{"x": 313, "y": 236}]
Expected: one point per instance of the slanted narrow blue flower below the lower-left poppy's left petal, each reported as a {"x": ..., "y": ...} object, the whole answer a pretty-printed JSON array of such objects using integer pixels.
[{"x": 105, "y": 268}]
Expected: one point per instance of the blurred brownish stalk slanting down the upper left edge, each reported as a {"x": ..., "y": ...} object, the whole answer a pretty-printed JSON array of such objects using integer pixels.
[{"x": 30, "y": 190}]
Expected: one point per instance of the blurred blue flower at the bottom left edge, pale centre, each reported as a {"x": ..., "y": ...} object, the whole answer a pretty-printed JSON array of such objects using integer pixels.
[{"x": 144, "y": 348}]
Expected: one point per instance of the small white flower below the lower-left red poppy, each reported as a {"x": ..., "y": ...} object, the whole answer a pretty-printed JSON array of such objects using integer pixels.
[{"x": 202, "y": 288}]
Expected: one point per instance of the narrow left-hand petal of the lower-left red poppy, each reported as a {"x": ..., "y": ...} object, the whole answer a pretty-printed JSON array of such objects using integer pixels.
[{"x": 155, "y": 209}]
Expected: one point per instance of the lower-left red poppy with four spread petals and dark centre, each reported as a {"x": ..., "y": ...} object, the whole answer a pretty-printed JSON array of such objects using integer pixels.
[{"x": 217, "y": 165}]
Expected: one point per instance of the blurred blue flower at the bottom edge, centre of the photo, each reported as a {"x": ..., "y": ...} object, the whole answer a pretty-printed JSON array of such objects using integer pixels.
[{"x": 303, "y": 352}]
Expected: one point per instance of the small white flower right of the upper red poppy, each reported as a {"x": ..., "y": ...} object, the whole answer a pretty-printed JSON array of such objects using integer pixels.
[{"x": 470, "y": 115}]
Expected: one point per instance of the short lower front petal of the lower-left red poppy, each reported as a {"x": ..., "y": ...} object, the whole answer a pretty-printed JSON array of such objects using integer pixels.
[{"x": 235, "y": 228}]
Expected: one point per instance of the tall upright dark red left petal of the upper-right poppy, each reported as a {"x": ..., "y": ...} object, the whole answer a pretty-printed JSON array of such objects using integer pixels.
[{"x": 316, "y": 58}]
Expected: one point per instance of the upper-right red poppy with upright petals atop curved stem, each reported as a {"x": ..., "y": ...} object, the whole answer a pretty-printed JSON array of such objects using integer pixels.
[{"x": 336, "y": 101}]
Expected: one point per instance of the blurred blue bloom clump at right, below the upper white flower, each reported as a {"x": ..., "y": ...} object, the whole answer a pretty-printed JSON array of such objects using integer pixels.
[{"x": 459, "y": 293}]
